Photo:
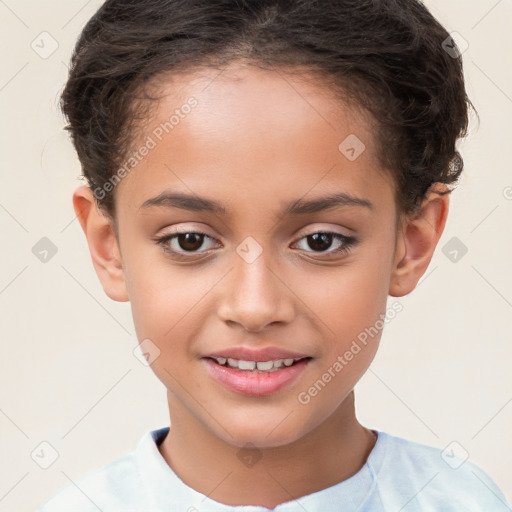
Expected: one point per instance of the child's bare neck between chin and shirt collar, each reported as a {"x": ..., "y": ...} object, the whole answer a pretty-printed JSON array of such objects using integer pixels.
[{"x": 331, "y": 453}]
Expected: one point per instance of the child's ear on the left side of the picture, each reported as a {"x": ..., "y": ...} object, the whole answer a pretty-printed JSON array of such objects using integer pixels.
[{"x": 103, "y": 245}]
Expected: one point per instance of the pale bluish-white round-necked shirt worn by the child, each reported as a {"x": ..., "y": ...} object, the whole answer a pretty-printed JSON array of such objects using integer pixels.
[{"x": 398, "y": 476}]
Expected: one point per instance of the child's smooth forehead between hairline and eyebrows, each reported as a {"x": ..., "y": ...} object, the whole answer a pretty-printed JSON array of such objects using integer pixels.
[{"x": 264, "y": 134}]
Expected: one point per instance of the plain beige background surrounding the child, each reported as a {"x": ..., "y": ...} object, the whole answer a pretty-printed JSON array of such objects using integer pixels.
[{"x": 68, "y": 375}]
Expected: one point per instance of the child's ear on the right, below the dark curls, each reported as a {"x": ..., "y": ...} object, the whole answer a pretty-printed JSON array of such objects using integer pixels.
[{"x": 417, "y": 239}]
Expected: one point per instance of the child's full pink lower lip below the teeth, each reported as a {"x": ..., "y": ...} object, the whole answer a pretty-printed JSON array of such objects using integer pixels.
[{"x": 254, "y": 383}]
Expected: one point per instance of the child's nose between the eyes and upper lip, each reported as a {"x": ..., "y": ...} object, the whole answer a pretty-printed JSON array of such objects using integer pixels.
[{"x": 255, "y": 295}]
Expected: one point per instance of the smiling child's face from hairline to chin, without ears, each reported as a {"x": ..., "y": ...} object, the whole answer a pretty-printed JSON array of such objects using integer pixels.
[{"x": 269, "y": 267}]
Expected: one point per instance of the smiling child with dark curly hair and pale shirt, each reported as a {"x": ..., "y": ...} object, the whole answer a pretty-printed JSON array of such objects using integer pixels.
[{"x": 261, "y": 176}]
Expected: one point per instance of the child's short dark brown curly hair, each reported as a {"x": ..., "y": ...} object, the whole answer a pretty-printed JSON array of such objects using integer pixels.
[{"x": 387, "y": 56}]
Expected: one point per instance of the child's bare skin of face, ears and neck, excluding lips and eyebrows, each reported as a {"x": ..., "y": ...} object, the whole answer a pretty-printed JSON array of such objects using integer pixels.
[{"x": 256, "y": 141}]
